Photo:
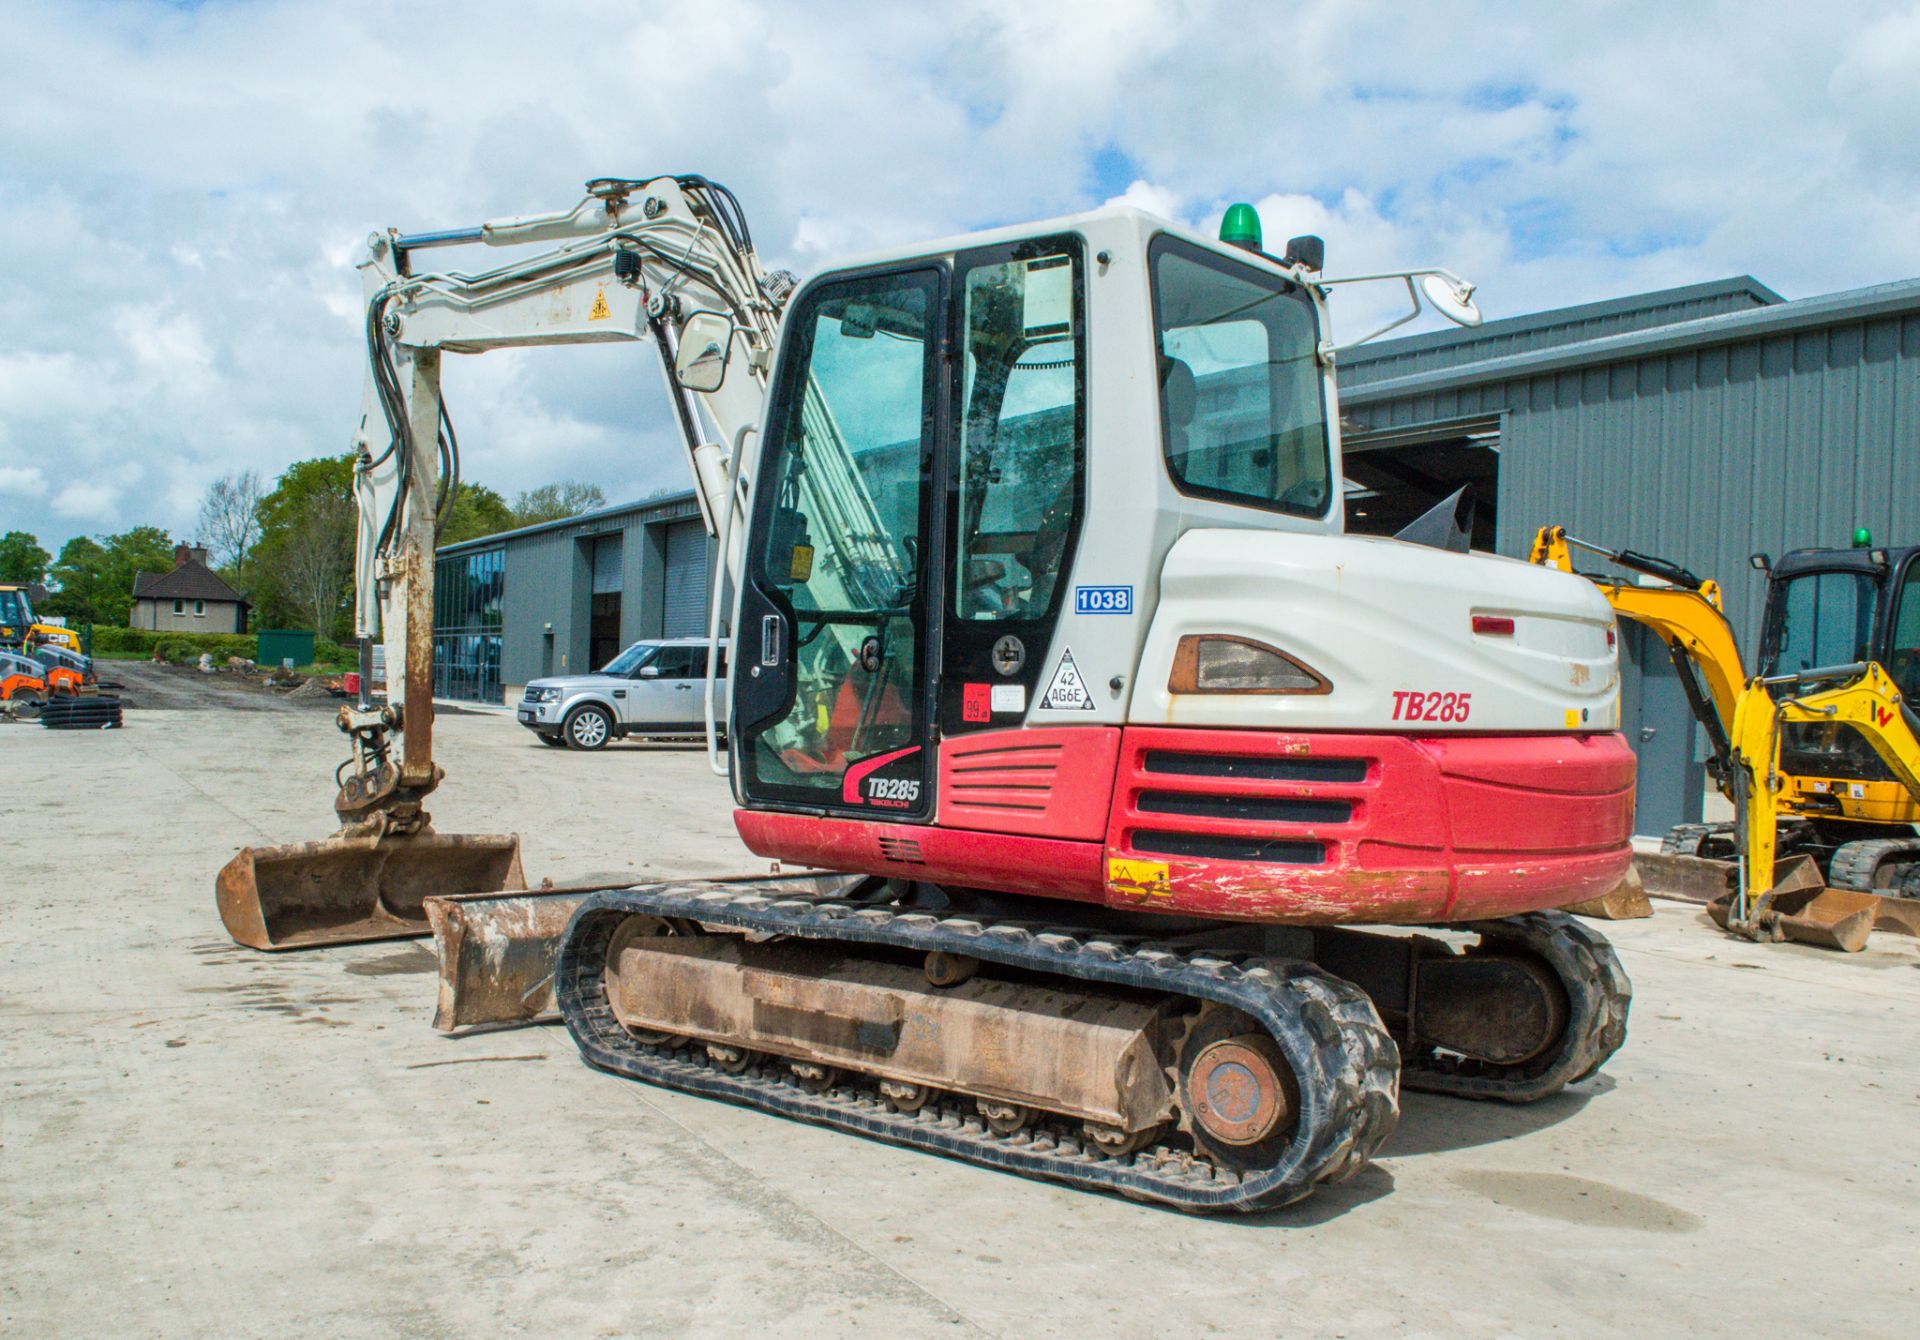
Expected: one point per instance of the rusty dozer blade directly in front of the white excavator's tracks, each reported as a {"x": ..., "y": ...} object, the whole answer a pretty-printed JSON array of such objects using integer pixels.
[{"x": 498, "y": 949}]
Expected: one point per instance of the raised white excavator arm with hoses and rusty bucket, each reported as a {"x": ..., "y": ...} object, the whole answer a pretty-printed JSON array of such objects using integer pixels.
[{"x": 665, "y": 260}]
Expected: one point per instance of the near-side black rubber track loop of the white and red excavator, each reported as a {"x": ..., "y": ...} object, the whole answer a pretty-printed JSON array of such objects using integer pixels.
[{"x": 1328, "y": 1030}]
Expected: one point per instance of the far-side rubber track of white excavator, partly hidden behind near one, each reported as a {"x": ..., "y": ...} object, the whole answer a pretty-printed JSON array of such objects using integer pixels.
[{"x": 1598, "y": 1001}]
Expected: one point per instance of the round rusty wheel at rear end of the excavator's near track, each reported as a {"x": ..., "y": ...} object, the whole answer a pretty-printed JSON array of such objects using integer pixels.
[{"x": 1239, "y": 1093}]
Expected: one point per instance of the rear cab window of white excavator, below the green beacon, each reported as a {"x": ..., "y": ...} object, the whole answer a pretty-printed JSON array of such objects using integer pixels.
[{"x": 1241, "y": 402}]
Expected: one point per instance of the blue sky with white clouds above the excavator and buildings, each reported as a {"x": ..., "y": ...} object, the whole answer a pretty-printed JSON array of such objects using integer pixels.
[{"x": 183, "y": 187}]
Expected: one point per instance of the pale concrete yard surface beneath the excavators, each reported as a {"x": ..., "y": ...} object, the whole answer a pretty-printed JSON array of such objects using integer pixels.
[{"x": 206, "y": 1141}]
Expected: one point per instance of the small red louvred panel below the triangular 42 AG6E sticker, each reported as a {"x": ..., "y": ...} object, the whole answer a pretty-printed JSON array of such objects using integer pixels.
[{"x": 1049, "y": 782}]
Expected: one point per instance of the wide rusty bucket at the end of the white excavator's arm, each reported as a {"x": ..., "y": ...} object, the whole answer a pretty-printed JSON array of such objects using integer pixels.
[{"x": 352, "y": 890}]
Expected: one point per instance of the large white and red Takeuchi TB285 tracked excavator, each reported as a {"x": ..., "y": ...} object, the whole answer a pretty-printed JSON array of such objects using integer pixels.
[{"x": 1051, "y": 652}]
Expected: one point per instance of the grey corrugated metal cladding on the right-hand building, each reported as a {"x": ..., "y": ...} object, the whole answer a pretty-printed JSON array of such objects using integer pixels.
[{"x": 1700, "y": 441}]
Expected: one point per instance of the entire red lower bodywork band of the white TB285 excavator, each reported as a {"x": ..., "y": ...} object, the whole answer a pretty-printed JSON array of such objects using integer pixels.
[{"x": 1312, "y": 828}]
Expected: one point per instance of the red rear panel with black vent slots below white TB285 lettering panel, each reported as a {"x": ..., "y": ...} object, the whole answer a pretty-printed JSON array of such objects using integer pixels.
[{"x": 1408, "y": 828}]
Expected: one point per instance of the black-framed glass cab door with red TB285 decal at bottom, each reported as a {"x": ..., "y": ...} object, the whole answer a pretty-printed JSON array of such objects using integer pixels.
[{"x": 832, "y": 702}]
